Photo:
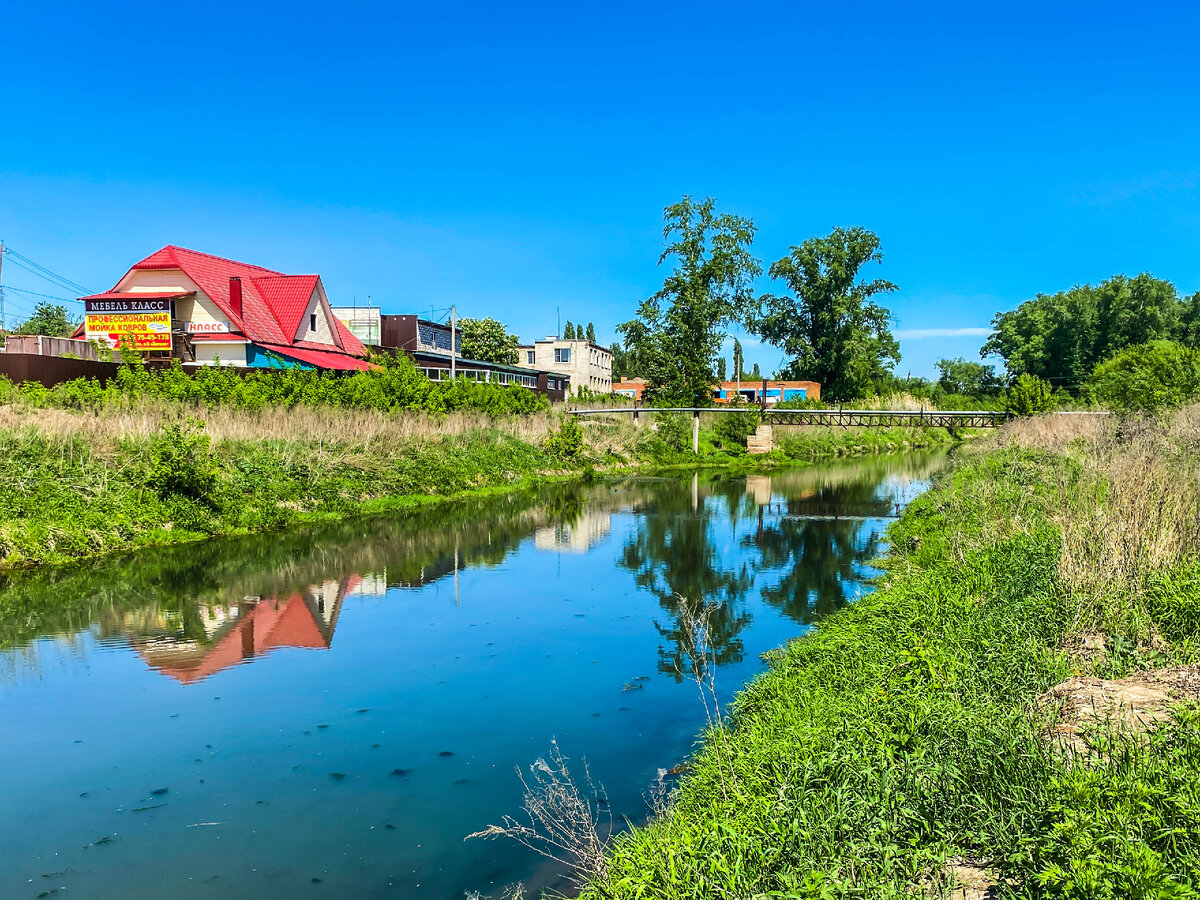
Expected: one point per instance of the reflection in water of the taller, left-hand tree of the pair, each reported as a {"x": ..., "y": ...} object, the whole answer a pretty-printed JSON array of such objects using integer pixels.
[{"x": 674, "y": 557}]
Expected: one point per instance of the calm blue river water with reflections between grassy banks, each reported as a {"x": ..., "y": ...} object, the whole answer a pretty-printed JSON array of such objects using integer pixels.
[{"x": 328, "y": 713}]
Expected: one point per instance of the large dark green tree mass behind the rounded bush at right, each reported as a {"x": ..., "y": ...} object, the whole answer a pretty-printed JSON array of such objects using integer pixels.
[{"x": 1061, "y": 338}]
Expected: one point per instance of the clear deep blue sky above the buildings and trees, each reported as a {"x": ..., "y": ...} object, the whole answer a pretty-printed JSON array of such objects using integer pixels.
[{"x": 515, "y": 159}]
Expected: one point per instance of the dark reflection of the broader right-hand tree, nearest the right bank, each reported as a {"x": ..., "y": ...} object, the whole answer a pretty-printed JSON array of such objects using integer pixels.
[{"x": 819, "y": 548}]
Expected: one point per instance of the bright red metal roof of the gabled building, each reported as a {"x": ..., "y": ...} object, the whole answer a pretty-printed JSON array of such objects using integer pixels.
[{"x": 272, "y": 303}]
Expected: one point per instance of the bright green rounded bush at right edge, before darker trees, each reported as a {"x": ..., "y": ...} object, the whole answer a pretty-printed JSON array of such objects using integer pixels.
[{"x": 1148, "y": 377}]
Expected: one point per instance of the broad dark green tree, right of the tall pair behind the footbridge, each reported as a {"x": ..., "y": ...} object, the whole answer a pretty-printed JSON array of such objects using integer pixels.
[{"x": 832, "y": 329}]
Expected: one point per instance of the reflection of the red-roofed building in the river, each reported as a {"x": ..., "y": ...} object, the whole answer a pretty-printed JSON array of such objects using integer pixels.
[{"x": 302, "y": 621}]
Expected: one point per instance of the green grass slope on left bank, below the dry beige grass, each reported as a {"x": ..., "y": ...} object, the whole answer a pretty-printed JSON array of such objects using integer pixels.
[{"x": 67, "y": 499}]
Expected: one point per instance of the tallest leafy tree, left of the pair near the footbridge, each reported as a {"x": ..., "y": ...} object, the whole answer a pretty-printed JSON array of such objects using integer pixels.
[{"x": 680, "y": 331}]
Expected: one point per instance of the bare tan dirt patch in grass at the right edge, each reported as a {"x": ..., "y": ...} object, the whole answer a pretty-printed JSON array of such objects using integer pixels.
[{"x": 1132, "y": 705}]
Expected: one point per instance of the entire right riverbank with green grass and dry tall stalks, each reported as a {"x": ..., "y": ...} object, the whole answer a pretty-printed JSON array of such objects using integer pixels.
[{"x": 903, "y": 747}]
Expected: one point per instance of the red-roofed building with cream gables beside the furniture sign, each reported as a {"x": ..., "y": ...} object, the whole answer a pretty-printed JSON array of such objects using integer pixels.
[{"x": 233, "y": 314}]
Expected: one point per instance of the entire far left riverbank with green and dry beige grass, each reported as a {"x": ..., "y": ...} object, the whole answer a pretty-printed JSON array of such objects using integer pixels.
[{"x": 129, "y": 473}]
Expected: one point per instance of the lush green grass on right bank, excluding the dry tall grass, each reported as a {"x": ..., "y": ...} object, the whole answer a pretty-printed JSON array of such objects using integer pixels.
[{"x": 901, "y": 734}]
